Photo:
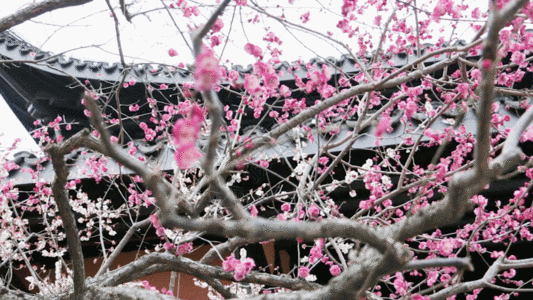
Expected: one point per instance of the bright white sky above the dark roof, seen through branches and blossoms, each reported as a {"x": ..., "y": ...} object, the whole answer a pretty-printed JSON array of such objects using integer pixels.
[{"x": 90, "y": 30}]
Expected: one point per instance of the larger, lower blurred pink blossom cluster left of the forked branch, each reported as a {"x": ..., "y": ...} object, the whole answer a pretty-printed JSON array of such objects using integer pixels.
[{"x": 185, "y": 134}]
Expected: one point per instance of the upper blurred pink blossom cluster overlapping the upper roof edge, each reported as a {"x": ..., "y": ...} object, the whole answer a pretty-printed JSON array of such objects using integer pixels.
[{"x": 208, "y": 72}]
